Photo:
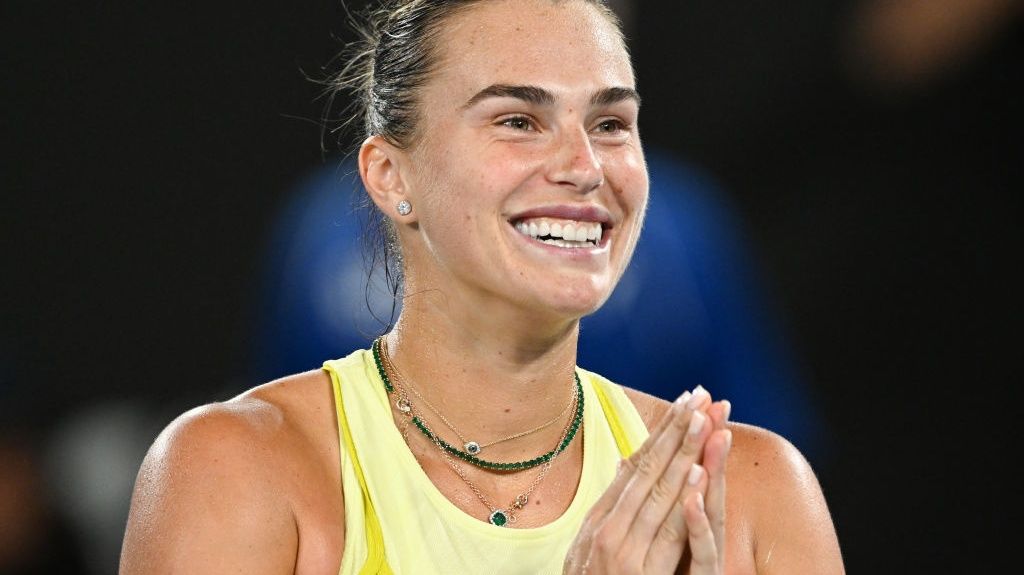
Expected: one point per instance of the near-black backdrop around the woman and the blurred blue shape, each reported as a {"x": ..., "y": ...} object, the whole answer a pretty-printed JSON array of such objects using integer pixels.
[{"x": 148, "y": 149}]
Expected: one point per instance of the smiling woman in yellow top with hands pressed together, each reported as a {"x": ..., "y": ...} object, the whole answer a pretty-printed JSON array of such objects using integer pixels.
[{"x": 502, "y": 146}]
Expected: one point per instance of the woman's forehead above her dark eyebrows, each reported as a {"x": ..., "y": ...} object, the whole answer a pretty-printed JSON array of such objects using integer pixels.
[{"x": 532, "y": 42}]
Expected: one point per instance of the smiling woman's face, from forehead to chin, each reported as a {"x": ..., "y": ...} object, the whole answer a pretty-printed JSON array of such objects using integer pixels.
[{"x": 528, "y": 180}]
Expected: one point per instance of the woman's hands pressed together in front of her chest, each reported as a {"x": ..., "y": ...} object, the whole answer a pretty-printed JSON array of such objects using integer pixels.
[{"x": 663, "y": 500}]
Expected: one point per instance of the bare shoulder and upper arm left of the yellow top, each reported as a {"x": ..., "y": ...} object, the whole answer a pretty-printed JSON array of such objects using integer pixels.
[{"x": 217, "y": 472}]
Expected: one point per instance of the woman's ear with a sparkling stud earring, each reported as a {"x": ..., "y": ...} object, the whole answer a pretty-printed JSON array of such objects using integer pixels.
[{"x": 381, "y": 173}]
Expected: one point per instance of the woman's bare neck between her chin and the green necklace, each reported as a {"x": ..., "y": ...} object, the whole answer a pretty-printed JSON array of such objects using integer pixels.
[{"x": 492, "y": 382}]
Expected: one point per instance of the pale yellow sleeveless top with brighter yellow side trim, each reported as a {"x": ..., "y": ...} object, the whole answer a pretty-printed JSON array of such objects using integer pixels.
[{"x": 397, "y": 521}]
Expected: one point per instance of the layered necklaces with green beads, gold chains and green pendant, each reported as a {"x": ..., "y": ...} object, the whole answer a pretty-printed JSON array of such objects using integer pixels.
[{"x": 500, "y": 517}]
